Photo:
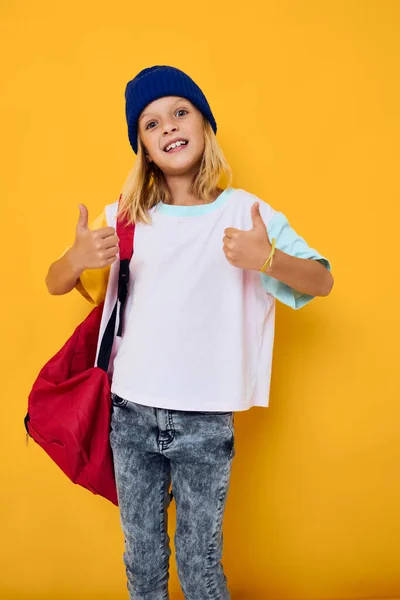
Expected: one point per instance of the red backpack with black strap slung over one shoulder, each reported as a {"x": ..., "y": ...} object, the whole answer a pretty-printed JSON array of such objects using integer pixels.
[{"x": 69, "y": 406}]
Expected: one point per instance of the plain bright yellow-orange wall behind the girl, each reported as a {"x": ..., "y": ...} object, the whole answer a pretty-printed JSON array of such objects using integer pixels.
[{"x": 306, "y": 97}]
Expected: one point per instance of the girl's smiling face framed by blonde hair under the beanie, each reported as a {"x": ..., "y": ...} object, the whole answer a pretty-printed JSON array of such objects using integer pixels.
[{"x": 167, "y": 120}]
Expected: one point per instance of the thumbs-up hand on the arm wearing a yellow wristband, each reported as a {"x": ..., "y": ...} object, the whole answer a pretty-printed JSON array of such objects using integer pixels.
[{"x": 248, "y": 249}]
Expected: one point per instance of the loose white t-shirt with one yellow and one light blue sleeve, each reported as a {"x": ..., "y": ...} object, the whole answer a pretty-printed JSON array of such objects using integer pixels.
[{"x": 198, "y": 331}]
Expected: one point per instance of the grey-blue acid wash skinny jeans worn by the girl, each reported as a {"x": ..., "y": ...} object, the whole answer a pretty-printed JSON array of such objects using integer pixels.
[{"x": 152, "y": 448}]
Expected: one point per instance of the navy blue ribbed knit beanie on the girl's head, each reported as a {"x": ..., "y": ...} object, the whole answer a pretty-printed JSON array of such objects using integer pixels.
[{"x": 156, "y": 82}]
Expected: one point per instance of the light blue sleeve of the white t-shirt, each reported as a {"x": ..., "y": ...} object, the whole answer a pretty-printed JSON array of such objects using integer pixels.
[{"x": 290, "y": 242}]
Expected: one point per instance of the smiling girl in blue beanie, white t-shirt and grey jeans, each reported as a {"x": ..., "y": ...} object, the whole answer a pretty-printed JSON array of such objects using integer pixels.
[{"x": 208, "y": 266}]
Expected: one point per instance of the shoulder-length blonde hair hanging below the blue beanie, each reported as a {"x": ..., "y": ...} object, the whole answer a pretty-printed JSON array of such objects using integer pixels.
[{"x": 146, "y": 185}]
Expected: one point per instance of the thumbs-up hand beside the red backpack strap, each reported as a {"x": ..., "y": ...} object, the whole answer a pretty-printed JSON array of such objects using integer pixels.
[{"x": 93, "y": 249}]
